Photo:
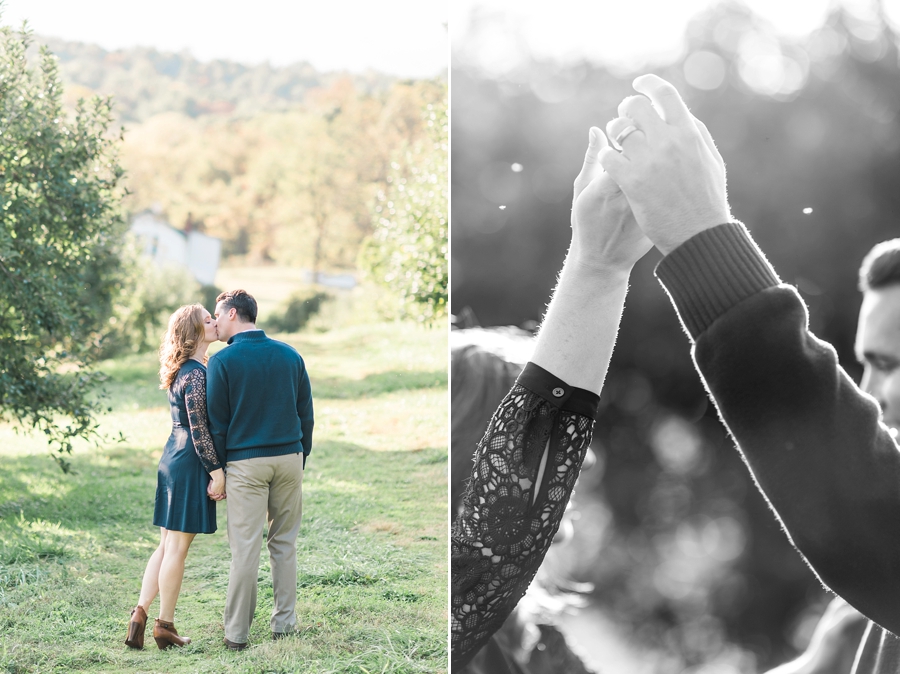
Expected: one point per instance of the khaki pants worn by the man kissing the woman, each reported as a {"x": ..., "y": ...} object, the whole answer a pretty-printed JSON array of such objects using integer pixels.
[{"x": 272, "y": 484}]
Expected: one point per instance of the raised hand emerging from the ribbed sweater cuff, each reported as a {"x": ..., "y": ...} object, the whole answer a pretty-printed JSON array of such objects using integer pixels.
[{"x": 669, "y": 167}]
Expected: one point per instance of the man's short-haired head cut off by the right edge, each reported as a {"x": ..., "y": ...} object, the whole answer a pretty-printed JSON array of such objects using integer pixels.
[{"x": 878, "y": 333}]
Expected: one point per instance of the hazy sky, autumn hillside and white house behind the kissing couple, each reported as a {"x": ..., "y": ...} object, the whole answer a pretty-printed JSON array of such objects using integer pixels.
[{"x": 265, "y": 147}]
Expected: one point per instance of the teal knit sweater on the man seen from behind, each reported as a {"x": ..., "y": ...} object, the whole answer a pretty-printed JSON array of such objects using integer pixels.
[{"x": 259, "y": 399}]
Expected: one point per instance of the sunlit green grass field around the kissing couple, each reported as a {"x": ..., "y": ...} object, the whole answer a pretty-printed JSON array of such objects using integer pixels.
[{"x": 372, "y": 550}]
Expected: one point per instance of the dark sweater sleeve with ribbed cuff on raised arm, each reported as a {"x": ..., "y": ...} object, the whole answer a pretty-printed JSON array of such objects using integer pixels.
[{"x": 814, "y": 442}]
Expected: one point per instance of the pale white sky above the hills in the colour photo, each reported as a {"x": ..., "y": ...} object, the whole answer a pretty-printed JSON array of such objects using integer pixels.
[{"x": 405, "y": 38}]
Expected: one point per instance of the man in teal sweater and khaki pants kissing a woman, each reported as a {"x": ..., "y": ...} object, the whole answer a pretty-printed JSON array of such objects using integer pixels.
[{"x": 261, "y": 419}]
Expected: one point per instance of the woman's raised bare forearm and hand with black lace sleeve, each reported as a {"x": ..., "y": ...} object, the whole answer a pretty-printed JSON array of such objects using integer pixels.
[{"x": 526, "y": 465}]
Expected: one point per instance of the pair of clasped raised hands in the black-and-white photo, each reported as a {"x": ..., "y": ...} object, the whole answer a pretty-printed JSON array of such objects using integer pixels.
[{"x": 665, "y": 185}]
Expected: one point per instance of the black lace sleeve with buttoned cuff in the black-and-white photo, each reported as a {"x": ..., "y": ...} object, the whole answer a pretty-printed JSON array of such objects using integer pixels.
[{"x": 504, "y": 530}]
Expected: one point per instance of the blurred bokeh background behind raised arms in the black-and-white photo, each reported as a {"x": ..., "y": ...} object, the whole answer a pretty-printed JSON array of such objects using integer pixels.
[{"x": 690, "y": 570}]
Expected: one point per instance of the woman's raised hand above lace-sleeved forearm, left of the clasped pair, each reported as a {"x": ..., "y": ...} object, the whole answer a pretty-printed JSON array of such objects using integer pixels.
[{"x": 605, "y": 235}]
